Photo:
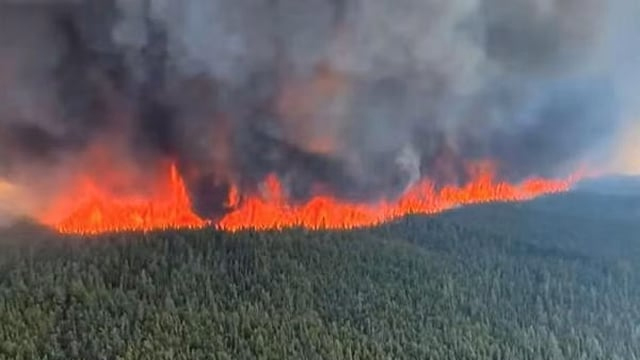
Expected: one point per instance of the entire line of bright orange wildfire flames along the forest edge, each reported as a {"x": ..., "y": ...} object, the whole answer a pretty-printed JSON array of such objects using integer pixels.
[{"x": 101, "y": 211}]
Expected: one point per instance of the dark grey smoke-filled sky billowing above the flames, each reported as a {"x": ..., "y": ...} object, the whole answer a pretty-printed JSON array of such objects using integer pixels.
[{"x": 361, "y": 96}]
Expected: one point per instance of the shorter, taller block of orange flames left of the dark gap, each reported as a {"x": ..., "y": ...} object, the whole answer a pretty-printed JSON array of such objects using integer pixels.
[{"x": 94, "y": 210}]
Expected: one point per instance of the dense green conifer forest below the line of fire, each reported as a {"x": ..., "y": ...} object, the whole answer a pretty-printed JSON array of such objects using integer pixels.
[{"x": 553, "y": 279}]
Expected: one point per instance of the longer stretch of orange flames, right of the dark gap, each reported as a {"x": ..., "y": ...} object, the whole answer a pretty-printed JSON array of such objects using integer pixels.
[{"x": 272, "y": 211}]
